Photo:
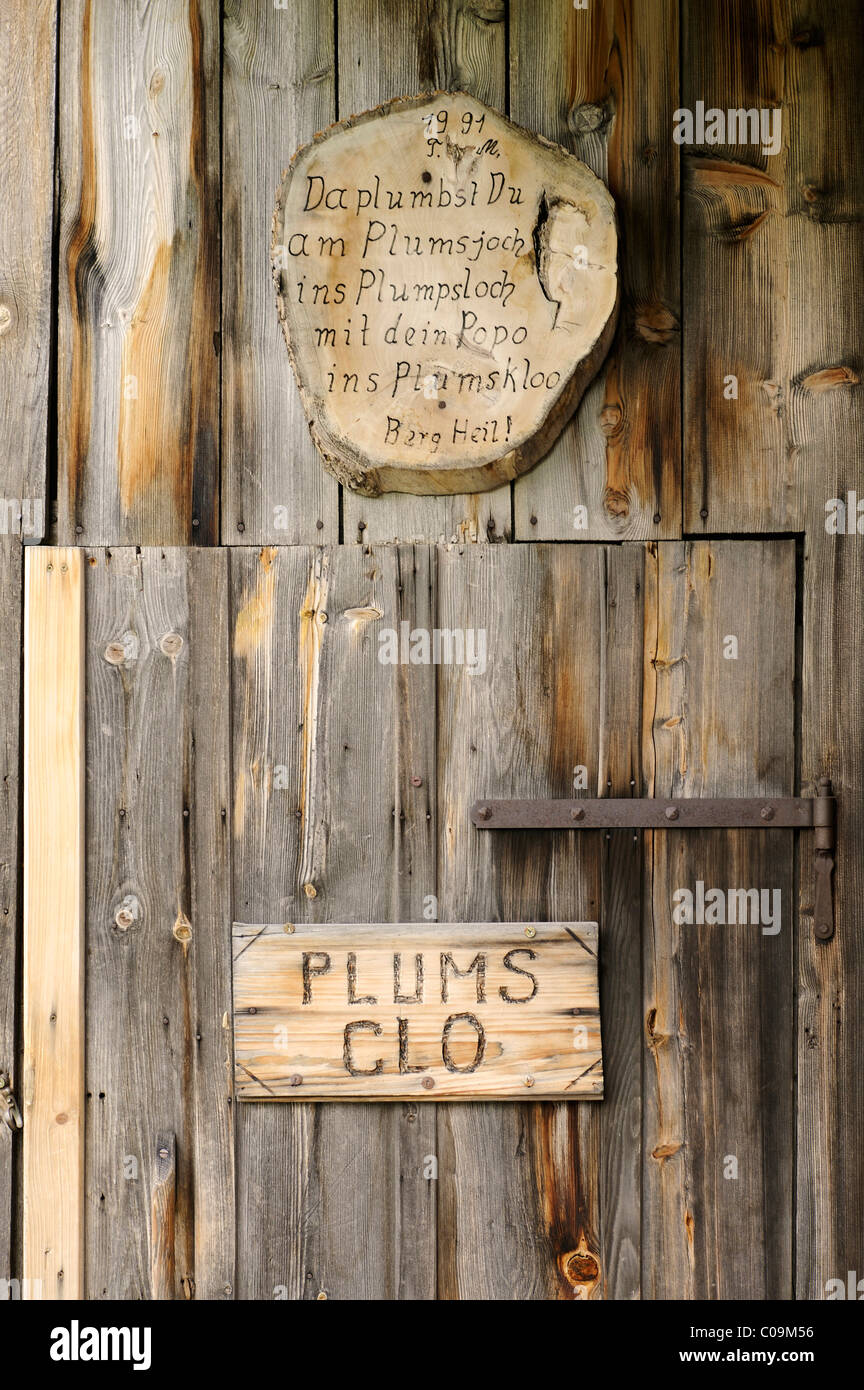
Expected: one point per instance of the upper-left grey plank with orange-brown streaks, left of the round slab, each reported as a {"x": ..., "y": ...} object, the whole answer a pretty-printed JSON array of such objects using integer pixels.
[{"x": 140, "y": 275}]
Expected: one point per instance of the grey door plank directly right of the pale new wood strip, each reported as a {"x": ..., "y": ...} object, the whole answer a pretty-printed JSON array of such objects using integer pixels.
[{"x": 159, "y": 922}]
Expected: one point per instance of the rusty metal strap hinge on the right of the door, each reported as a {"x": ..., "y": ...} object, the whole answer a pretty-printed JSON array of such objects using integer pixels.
[{"x": 688, "y": 814}]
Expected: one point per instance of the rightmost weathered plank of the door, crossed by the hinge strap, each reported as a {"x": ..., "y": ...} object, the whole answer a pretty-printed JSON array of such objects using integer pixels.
[{"x": 719, "y": 1100}]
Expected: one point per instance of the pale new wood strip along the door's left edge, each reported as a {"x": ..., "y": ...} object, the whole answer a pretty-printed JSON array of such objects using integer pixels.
[{"x": 53, "y": 926}]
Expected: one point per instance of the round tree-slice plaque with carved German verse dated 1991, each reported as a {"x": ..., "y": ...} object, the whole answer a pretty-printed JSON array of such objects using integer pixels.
[{"x": 448, "y": 288}]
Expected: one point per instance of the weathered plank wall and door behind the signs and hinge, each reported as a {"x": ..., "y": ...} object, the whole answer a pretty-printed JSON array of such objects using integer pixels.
[{"x": 148, "y": 415}]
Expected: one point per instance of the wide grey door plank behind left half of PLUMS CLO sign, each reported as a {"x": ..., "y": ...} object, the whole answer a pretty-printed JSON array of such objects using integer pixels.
[{"x": 335, "y": 818}]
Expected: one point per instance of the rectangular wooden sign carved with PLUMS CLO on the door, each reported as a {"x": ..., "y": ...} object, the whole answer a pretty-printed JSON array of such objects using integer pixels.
[{"x": 502, "y": 1011}]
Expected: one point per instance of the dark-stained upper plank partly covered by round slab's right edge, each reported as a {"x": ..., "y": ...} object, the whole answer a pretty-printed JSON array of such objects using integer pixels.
[{"x": 604, "y": 83}]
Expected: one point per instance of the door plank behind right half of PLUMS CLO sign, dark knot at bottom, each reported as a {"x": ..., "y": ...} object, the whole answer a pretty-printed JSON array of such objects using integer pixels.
[{"x": 526, "y": 1225}]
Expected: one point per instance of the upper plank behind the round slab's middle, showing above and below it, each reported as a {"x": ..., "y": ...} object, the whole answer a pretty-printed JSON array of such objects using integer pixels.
[{"x": 397, "y": 48}]
